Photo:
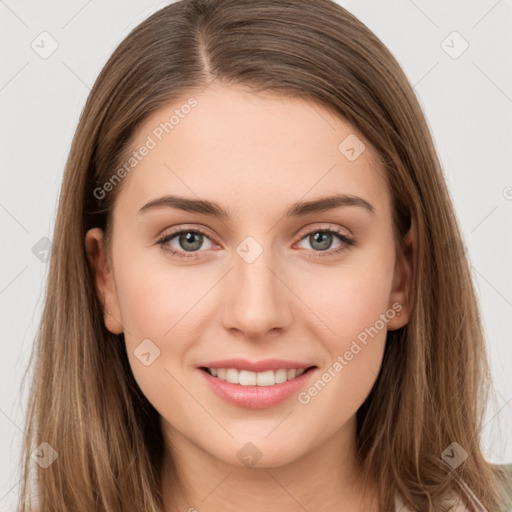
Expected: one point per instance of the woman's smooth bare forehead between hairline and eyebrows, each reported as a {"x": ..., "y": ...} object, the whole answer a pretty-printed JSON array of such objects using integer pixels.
[{"x": 241, "y": 147}]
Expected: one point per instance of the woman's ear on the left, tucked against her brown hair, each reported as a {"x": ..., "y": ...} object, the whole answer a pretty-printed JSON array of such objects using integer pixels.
[{"x": 104, "y": 279}]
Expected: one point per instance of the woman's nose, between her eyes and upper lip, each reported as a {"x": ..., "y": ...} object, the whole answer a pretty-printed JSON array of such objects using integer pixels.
[{"x": 257, "y": 296}]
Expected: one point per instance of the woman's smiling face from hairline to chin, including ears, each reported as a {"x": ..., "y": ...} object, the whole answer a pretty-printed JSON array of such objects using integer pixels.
[{"x": 265, "y": 286}]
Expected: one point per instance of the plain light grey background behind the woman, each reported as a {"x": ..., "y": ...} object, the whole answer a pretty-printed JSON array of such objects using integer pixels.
[{"x": 467, "y": 100}]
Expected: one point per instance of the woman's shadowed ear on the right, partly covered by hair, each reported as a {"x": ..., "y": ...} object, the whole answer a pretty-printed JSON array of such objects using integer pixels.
[{"x": 402, "y": 280}]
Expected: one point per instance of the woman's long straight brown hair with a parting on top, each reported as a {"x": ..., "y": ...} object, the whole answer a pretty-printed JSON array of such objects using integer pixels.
[{"x": 434, "y": 381}]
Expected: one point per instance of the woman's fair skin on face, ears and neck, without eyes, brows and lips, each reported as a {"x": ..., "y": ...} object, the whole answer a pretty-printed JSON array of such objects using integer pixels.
[{"x": 255, "y": 155}]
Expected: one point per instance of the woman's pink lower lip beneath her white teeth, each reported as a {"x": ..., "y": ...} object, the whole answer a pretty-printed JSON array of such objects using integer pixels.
[{"x": 256, "y": 397}]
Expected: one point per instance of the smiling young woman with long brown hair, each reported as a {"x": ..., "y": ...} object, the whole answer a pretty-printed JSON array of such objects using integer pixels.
[{"x": 256, "y": 369}]
